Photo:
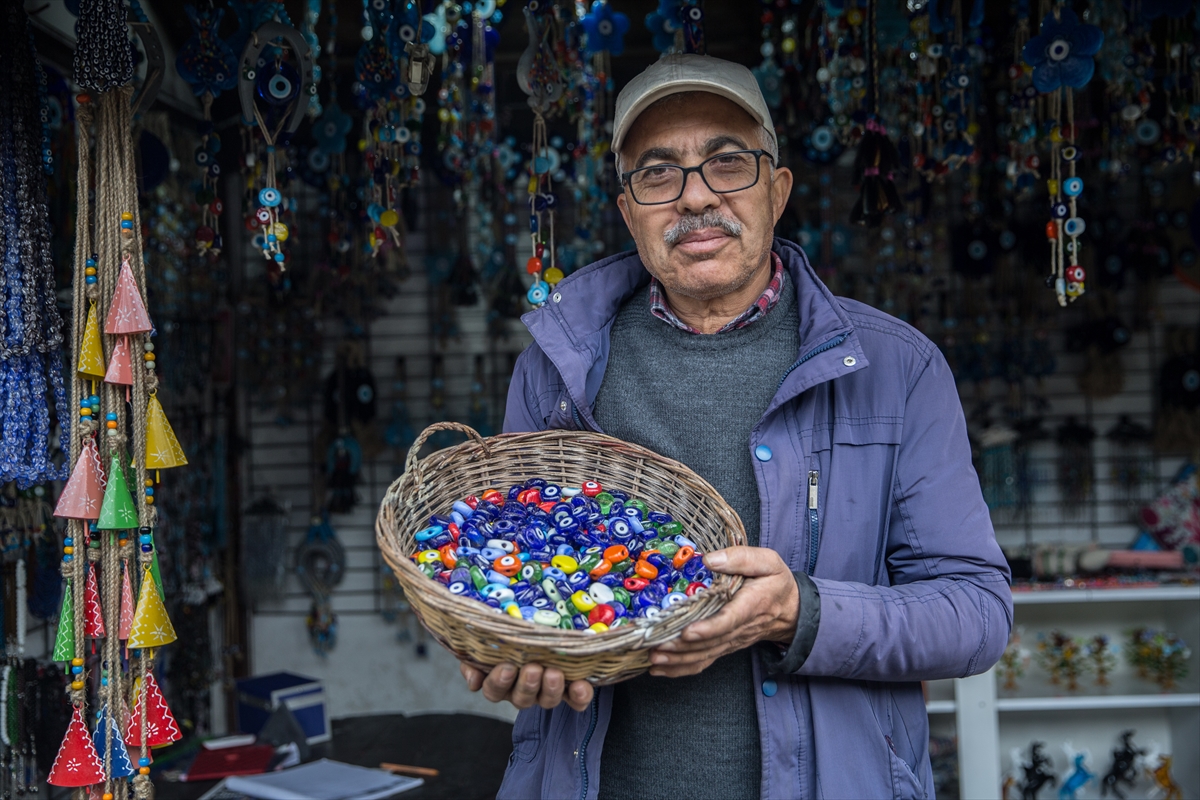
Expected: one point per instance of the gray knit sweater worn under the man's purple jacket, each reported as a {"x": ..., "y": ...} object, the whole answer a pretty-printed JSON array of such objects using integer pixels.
[{"x": 694, "y": 399}]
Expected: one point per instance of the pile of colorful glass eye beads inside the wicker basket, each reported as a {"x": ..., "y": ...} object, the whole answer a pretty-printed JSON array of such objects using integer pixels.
[{"x": 589, "y": 560}]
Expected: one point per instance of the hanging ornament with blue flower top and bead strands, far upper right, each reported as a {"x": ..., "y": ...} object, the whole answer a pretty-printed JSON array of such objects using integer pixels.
[{"x": 1063, "y": 61}]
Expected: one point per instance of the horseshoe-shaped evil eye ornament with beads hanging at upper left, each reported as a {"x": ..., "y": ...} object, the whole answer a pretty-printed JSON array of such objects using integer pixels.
[{"x": 274, "y": 97}]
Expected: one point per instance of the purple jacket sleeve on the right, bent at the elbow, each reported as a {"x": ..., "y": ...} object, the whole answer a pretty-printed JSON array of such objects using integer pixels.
[{"x": 949, "y": 610}]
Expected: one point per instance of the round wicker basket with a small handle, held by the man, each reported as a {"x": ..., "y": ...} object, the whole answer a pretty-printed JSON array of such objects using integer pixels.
[{"x": 479, "y": 636}]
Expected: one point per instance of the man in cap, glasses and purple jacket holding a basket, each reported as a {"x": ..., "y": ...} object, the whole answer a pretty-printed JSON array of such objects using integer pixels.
[{"x": 833, "y": 430}]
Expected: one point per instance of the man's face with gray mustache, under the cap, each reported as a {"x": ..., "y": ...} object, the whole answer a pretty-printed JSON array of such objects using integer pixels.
[{"x": 711, "y": 261}]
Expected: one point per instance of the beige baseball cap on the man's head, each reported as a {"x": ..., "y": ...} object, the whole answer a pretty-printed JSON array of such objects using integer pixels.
[{"x": 673, "y": 75}]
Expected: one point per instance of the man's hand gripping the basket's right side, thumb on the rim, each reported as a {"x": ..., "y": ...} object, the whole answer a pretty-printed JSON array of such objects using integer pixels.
[{"x": 765, "y": 609}]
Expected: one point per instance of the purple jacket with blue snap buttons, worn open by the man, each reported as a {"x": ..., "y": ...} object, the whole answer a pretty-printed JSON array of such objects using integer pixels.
[{"x": 901, "y": 546}]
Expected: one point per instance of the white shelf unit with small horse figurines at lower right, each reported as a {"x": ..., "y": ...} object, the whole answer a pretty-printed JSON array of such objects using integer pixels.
[{"x": 991, "y": 723}]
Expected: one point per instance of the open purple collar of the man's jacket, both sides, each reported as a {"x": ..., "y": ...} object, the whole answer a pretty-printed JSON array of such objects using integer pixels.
[{"x": 573, "y": 328}]
